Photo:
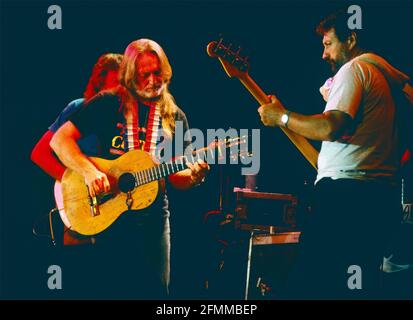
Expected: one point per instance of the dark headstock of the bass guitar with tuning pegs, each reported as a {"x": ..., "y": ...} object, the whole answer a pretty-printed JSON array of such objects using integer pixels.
[{"x": 233, "y": 64}]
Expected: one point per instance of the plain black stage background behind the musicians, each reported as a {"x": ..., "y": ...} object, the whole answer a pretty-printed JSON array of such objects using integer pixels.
[{"x": 42, "y": 70}]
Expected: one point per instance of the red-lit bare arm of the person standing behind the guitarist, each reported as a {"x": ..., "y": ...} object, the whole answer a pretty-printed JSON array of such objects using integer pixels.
[{"x": 42, "y": 155}]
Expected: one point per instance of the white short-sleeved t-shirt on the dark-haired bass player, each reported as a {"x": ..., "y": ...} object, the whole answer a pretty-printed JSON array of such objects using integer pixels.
[{"x": 369, "y": 150}]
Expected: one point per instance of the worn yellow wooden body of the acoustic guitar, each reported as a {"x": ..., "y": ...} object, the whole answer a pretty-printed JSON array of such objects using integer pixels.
[{"x": 76, "y": 204}]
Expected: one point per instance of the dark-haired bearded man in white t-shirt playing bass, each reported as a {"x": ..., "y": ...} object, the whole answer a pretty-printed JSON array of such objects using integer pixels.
[{"x": 357, "y": 198}]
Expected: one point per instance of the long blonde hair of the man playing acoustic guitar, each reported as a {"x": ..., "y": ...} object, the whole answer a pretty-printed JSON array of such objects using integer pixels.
[{"x": 128, "y": 76}]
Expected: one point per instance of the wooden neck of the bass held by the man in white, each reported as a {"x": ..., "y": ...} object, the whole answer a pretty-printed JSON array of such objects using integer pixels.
[{"x": 302, "y": 144}]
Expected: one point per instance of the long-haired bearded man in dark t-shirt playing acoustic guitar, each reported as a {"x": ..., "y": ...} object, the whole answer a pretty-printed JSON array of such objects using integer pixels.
[{"x": 134, "y": 116}]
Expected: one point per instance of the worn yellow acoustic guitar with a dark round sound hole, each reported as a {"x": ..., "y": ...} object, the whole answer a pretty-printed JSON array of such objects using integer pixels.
[{"x": 134, "y": 180}]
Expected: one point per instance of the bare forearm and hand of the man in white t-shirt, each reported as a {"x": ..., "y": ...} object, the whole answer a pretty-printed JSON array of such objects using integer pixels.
[{"x": 327, "y": 126}]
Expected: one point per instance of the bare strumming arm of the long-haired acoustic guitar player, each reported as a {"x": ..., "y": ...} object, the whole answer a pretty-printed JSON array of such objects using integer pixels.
[{"x": 64, "y": 143}]
